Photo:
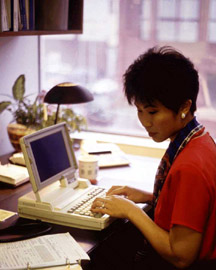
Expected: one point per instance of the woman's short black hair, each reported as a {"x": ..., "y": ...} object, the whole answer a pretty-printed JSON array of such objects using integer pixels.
[{"x": 162, "y": 74}]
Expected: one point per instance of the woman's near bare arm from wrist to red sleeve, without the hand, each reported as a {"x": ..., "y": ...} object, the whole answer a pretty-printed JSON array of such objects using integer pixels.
[{"x": 180, "y": 246}]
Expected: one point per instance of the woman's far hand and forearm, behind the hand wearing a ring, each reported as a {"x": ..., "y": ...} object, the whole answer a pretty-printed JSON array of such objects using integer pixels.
[{"x": 133, "y": 194}]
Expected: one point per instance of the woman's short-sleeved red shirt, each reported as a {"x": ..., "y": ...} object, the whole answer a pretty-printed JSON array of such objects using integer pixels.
[{"x": 188, "y": 197}]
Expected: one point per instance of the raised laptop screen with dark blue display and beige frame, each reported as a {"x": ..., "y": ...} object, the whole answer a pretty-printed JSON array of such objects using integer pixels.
[{"x": 49, "y": 156}]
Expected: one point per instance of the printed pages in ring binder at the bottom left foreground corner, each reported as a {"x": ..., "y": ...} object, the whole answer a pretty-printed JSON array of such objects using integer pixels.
[{"x": 43, "y": 251}]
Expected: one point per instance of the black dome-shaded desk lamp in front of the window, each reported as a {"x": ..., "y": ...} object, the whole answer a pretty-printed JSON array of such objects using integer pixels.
[{"x": 67, "y": 93}]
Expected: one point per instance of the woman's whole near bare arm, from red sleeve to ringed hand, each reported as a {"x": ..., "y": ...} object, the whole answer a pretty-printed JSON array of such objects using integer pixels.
[{"x": 180, "y": 246}]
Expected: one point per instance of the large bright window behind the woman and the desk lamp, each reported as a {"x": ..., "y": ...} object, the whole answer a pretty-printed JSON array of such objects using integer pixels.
[{"x": 115, "y": 33}]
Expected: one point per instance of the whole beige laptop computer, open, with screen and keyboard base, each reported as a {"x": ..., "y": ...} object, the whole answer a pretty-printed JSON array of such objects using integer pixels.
[{"x": 58, "y": 195}]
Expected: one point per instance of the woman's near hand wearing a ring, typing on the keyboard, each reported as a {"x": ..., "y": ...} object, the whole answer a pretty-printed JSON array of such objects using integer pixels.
[{"x": 114, "y": 205}]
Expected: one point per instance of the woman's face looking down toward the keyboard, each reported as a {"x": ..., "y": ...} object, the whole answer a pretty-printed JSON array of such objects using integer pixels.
[{"x": 160, "y": 122}]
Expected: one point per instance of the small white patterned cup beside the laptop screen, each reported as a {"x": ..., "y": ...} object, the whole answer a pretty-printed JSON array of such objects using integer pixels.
[{"x": 88, "y": 167}]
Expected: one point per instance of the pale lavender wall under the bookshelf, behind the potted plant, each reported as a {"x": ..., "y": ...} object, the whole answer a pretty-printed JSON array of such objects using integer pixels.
[{"x": 18, "y": 55}]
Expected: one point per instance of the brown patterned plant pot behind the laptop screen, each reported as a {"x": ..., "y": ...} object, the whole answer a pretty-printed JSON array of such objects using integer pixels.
[{"x": 17, "y": 131}]
